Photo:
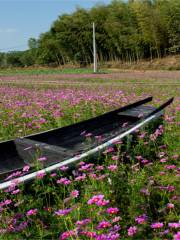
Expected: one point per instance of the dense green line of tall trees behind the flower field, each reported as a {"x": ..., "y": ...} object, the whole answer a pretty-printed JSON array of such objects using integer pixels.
[{"x": 126, "y": 31}]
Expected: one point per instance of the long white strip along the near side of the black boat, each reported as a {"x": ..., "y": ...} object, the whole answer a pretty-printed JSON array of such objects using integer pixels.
[{"x": 101, "y": 147}]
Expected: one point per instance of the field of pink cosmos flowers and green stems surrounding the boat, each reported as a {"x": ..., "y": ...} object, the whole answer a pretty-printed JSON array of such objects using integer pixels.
[{"x": 129, "y": 192}]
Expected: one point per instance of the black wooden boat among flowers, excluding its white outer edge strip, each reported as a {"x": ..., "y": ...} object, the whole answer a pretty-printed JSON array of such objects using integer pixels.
[{"x": 64, "y": 143}]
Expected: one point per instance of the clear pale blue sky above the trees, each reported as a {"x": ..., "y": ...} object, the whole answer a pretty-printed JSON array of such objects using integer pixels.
[{"x": 23, "y": 19}]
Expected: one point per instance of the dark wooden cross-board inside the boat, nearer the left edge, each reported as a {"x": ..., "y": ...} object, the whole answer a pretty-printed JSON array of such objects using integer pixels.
[{"x": 30, "y": 151}]
